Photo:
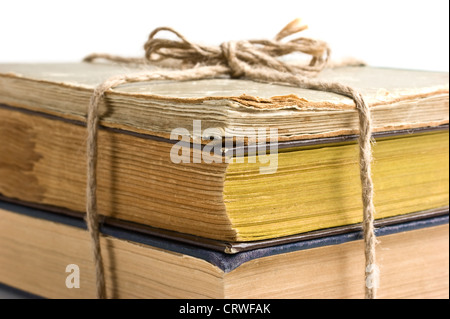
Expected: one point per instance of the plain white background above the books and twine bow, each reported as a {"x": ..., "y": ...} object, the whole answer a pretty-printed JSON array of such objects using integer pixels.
[{"x": 392, "y": 33}]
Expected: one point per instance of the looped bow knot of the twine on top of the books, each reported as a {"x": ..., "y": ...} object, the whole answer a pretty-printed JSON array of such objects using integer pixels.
[{"x": 240, "y": 56}]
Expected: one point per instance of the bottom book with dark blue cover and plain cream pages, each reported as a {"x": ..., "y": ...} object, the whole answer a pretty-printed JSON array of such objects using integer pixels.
[{"x": 49, "y": 255}]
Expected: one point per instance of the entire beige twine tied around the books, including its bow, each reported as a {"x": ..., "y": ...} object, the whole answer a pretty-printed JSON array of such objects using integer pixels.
[{"x": 256, "y": 60}]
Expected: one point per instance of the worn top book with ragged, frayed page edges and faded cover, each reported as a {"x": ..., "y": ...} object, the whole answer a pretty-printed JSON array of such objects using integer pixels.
[{"x": 401, "y": 99}]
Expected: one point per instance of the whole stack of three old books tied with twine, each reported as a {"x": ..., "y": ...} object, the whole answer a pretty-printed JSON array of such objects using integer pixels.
[{"x": 193, "y": 208}]
